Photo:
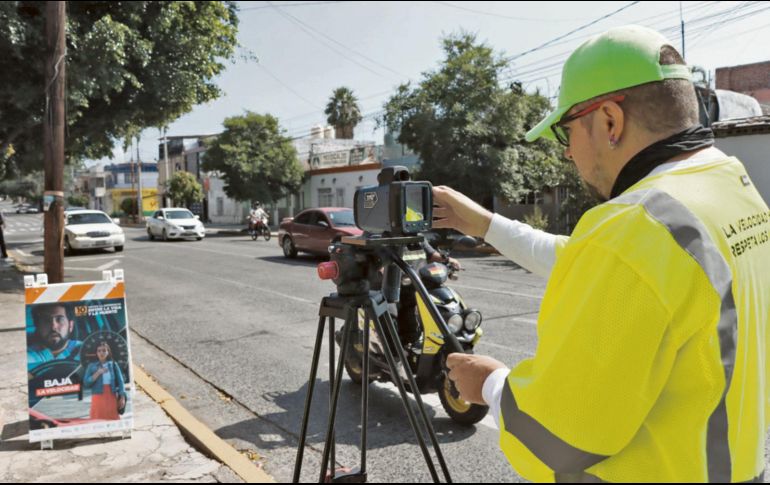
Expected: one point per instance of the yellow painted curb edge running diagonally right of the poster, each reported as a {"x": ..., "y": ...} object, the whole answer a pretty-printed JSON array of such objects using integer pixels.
[{"x": 200, "y": 433}]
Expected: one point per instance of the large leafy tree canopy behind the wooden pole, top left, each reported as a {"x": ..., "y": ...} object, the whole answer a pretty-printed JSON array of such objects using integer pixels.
[{"x": 129, "y": 66}]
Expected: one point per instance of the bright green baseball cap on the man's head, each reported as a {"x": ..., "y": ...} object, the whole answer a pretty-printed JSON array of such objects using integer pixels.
[{"x": 617, "y": 59}]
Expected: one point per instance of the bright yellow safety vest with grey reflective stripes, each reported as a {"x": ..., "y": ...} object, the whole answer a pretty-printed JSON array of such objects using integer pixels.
[{"x": 651, "y": 364}]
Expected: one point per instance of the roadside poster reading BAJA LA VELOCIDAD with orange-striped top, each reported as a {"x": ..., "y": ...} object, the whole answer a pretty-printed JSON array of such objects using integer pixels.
[{"x": 78, "y": 358}]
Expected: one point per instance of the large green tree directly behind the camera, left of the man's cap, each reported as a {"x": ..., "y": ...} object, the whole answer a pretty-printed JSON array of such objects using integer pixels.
[{"x": 468, "y": 130}]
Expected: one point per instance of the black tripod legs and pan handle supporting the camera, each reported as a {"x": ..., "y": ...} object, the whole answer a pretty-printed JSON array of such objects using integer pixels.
[{"x": 375, "y": 307}]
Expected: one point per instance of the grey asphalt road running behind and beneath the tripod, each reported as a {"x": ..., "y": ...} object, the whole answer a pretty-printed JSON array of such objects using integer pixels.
[{"x": 242, "y": 318}]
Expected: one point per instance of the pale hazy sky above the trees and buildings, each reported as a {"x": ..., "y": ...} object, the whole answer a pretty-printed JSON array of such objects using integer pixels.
[{"x": 292, "y": 55}]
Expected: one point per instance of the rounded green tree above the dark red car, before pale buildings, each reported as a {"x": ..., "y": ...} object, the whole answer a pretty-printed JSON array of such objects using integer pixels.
[{"x": 255, "y": 160}]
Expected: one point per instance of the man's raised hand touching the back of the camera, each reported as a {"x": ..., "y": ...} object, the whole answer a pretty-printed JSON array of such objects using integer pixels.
[{"x": 454, "y": 210}]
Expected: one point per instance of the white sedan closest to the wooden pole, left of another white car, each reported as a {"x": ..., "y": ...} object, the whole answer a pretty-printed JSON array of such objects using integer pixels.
[{"x": 86, "y": 229}]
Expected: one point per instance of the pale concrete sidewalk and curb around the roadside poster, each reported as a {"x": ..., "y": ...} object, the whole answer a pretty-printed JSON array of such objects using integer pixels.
[{"x": 156, "y": 451}]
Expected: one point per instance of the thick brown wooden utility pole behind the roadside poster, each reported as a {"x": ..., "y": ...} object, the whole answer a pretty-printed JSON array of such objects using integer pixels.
[{"x": 53, "y": 141}]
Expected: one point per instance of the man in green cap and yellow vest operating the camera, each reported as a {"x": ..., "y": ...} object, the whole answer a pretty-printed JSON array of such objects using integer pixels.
[{"x": 651, "y": 361}]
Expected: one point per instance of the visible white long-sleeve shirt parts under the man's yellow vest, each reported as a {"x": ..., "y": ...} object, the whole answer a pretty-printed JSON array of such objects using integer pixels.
[{"x": 536, "y": 251}]
